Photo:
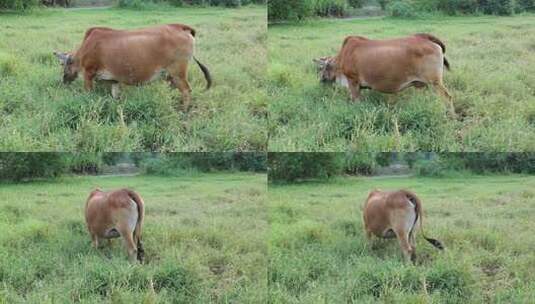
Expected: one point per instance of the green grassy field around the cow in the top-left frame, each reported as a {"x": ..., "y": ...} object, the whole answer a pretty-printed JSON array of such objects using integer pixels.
[{"x": 39, "y": 113}]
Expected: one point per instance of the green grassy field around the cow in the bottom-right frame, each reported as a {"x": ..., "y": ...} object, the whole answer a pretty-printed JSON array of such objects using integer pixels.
[{"x": 319, "y": 254}]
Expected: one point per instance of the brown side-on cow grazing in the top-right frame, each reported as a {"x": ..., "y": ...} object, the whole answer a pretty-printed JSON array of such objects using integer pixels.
[{"x": 388, "y": 66}]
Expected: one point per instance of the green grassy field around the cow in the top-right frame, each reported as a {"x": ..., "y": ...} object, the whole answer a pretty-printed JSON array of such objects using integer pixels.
[{"x": 492, "y": 82}]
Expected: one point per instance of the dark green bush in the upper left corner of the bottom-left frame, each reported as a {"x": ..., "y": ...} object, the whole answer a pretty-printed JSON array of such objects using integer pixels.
[{"x": 21, "y": 166}]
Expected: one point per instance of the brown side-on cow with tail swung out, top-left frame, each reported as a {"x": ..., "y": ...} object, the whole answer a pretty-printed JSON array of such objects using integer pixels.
[{"x": 134, "y": 57}]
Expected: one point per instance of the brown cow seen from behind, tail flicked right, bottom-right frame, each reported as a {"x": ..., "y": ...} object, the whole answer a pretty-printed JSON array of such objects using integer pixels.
[{"x": 395, "y": 214}]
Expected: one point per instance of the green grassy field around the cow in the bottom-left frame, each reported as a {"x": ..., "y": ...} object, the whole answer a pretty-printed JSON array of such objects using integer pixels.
[{"x": 204, "y": 236}]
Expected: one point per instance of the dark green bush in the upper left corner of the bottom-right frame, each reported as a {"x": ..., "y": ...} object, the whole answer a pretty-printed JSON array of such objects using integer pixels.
[{"x": 289, "y": 167}]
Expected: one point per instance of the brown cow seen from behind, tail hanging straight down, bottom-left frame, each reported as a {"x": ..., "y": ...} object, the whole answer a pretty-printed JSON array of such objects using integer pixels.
[{"x": 114, "y": 214}]
